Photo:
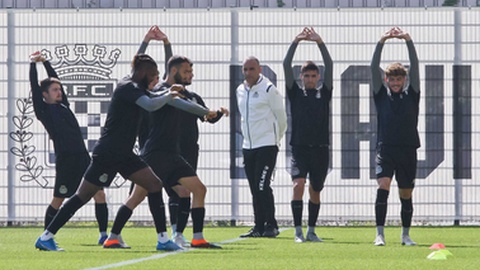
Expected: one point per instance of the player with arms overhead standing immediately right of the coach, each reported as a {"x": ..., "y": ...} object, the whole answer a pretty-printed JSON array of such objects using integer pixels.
[{"x": 310, "y": 109}]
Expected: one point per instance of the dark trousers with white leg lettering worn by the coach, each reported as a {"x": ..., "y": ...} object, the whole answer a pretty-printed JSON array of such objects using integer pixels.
[{"x": 259, "y": 165}]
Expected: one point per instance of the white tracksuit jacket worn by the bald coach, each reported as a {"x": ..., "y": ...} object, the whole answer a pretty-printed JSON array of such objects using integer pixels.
[{"x": 263, "y": 115}]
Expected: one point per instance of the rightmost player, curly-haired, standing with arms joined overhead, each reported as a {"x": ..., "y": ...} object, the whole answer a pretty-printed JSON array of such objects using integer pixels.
[{"x": 397, "y": 98}]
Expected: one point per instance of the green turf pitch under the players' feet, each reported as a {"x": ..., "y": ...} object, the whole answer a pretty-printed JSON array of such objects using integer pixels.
[{"x": 343, "y": 248}]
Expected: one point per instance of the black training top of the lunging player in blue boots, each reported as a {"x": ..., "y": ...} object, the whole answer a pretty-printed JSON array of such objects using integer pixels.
[{"x": 123, "y": 118}]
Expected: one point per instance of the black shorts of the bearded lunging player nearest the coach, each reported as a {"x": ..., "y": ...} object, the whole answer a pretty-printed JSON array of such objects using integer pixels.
[{"x": 169, "y": 167}]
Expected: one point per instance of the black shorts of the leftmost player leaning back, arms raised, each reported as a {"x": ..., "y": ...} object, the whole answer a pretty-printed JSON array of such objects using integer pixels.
[{"x": 69, "y": 170}]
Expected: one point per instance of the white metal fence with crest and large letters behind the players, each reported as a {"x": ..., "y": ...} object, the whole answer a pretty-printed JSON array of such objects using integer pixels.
[{"x": 93, "y": 48}]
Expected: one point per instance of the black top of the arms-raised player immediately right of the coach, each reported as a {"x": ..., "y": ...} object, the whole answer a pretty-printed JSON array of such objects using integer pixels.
[{"x": 310, "y": 108}]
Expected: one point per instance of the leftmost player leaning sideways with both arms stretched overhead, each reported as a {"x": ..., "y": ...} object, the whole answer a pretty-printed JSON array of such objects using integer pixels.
[{"x": 51, "y": 107}]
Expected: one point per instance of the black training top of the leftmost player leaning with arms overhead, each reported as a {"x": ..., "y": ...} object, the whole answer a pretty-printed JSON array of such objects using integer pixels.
[{"x": 58, "y": 119}]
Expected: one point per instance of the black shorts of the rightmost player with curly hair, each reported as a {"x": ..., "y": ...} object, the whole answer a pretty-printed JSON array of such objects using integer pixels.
[{"x": 398, "y": 161}]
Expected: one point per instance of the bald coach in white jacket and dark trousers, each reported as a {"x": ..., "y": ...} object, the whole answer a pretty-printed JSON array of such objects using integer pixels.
[{"x": 264, "y": 123}]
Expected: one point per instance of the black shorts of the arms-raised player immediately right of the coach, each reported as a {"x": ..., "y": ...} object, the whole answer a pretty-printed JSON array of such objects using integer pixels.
[{"x": 312, "y": 161}]
